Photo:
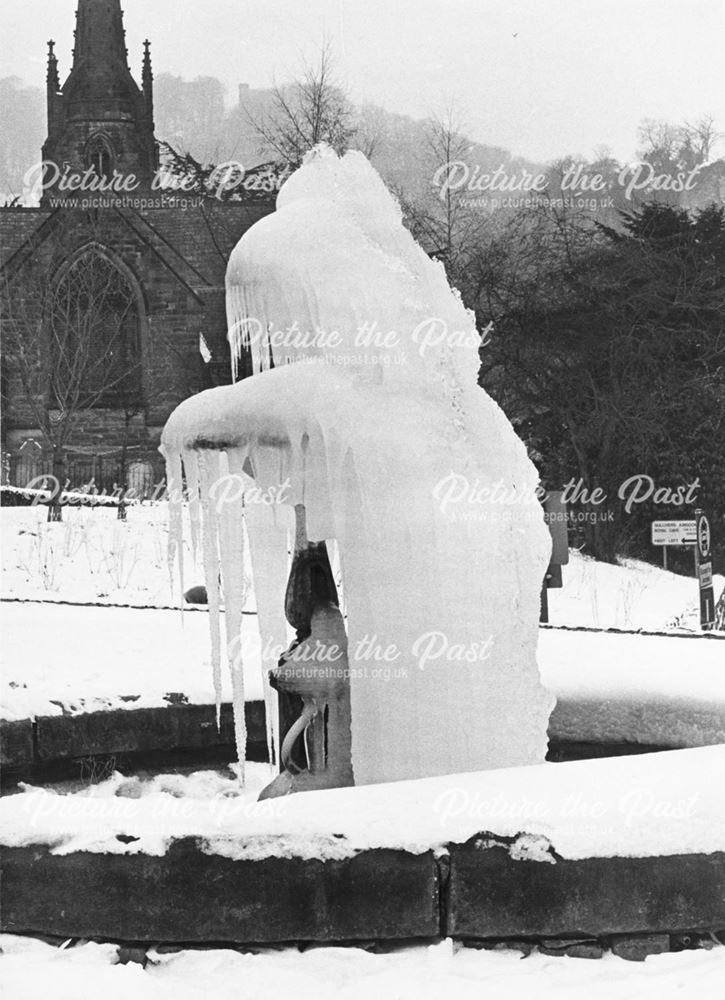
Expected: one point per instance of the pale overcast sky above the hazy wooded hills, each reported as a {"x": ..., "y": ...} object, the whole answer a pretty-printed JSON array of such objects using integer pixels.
[{"x": 541, "y": 77}]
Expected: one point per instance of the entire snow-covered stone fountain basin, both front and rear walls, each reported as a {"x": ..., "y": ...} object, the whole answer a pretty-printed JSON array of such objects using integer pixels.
[{"x": 588, "y": 850}]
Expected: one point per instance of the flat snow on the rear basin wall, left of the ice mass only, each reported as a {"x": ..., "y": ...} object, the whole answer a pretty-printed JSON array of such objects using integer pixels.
[{"x": 75, "y": 659}]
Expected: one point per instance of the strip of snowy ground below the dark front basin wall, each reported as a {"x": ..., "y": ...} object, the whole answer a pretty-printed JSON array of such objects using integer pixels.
[{"x": 32, "y": 970}]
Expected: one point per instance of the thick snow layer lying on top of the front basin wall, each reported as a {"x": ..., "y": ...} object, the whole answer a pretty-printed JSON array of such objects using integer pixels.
[{"x": 650, "y": 805}]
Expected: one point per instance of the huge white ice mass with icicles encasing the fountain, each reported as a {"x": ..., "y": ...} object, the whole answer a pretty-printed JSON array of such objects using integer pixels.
[{"x": 364, "y": 407}]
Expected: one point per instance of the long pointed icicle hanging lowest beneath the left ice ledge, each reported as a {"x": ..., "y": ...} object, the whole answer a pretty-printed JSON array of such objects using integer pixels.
[{"x": 234, "y": 583}]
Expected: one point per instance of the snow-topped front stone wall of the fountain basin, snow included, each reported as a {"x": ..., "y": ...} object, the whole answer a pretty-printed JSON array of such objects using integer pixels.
[{"x": 585, "y": 850}]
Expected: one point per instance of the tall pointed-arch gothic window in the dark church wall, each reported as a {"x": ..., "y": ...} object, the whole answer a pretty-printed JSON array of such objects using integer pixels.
[{"x": 94, "y": 333}]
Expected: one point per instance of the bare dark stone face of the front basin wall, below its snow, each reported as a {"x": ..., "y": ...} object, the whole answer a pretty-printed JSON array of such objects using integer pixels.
[{"x": 468, "y": 892}]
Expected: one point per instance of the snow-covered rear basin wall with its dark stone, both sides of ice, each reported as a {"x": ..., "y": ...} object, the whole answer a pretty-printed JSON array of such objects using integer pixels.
[{"x": 151, "y": 691}]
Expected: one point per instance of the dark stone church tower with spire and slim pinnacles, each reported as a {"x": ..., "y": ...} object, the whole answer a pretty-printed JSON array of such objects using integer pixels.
[{"x": 100, "y": 118}]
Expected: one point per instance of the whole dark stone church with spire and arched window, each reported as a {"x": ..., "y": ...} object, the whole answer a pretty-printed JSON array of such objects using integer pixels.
[{"x": 135, "y": 276}]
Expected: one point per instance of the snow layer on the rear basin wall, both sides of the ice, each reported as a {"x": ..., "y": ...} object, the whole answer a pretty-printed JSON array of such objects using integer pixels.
[{"x": 610, "y": 687}]
